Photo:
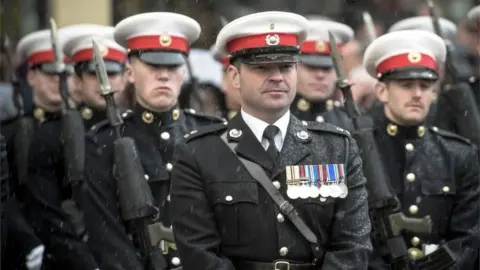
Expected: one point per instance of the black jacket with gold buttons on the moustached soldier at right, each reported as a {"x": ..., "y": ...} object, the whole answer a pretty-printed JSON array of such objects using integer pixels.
[{"x": 434, "y": 172}]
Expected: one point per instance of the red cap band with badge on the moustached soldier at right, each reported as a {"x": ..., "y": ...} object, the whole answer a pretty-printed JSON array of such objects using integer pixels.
[{"x": 407, "y": 60}]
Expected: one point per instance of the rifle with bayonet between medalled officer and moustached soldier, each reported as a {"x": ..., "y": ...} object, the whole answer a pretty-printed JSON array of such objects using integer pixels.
[{"x": 387, "y": 219}]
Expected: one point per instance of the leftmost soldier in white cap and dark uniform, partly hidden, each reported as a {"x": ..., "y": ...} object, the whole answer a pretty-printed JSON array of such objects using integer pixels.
[{"x": 45, "y": 189}]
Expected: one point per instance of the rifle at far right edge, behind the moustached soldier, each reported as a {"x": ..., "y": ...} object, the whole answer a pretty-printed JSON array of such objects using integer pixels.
[{"x": 458, "y": 94}]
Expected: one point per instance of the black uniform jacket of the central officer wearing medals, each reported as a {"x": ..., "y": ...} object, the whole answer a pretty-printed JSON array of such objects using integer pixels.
[{"x": 222, "y": 215}]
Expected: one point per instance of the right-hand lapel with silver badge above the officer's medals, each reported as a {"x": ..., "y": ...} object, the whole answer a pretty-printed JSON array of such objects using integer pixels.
[{"x": 296, "y": 146}]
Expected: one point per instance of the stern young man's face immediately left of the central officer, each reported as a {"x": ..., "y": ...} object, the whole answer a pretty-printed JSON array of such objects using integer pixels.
[{"x": 156, "y": 87}]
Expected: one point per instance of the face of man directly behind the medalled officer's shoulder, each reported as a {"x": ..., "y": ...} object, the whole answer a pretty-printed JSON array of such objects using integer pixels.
[{"x": 316, "y": 84}]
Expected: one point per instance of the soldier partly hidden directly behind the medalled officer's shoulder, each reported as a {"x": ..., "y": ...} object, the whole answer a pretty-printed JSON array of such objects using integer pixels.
[{"x": 316, "y": 76}]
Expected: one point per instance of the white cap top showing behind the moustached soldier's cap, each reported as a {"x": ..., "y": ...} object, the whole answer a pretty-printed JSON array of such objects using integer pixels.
[{"x": 449, "y": 29}]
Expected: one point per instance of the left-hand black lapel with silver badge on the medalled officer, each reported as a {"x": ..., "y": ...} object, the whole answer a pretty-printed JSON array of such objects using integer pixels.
[{"x": 248, "y": 146}]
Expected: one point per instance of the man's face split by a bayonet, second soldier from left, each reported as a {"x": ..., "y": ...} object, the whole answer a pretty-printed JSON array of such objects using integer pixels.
[{"x": 90, "y": 88}]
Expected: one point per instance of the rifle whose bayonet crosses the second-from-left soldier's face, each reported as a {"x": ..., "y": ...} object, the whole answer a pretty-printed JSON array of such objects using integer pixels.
[{"x": 136, "y": 200}]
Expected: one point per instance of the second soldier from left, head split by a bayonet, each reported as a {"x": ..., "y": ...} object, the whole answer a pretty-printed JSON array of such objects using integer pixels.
[{"x": 79, "y": 48}]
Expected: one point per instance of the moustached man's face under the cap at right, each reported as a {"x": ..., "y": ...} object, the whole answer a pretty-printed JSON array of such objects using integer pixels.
[{"x": 407, "y": 102}]
